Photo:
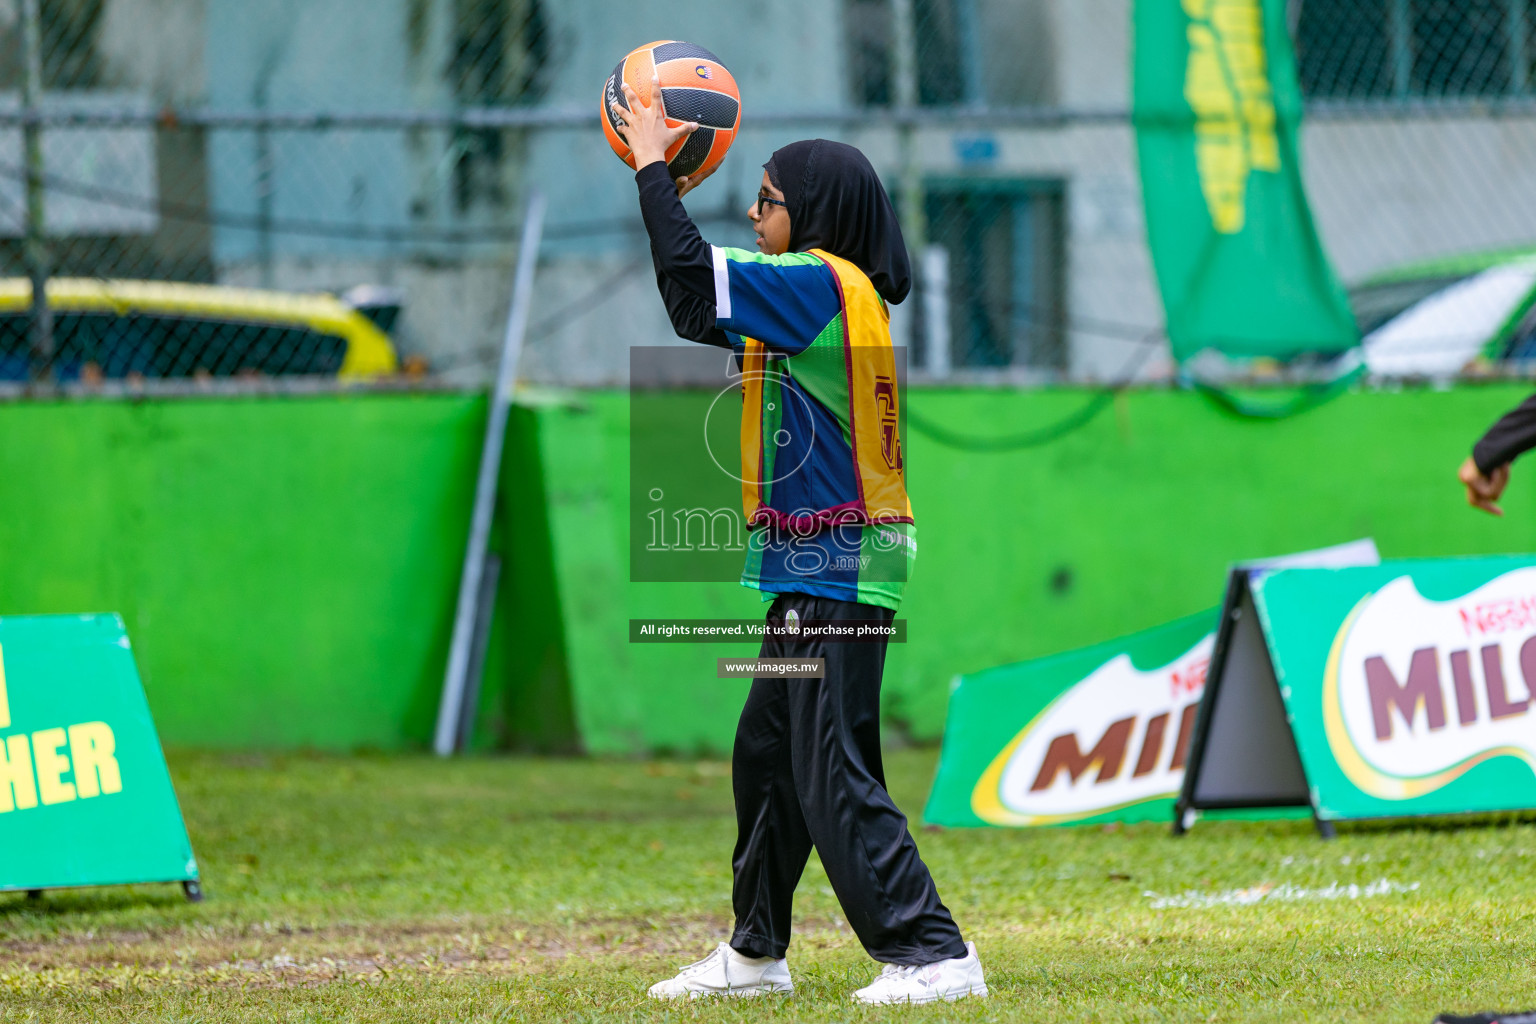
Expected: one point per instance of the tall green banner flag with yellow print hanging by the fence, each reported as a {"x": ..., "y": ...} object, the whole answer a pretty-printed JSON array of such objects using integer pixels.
[{"x": 1217, "y": 110}]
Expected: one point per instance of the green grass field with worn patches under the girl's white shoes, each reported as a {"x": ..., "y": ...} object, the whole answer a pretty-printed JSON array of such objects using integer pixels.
[{"x": 408, "y": 890}]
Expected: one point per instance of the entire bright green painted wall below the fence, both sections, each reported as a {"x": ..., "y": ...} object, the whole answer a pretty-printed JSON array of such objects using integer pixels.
[{"x": 288, "y": 566}]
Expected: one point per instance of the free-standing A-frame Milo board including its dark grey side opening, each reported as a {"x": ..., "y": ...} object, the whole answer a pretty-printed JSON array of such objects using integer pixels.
[{"x": 1365, "y": 693}]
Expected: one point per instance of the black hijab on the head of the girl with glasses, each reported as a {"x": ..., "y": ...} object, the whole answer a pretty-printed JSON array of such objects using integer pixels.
[{"x": 836, "y": 203}]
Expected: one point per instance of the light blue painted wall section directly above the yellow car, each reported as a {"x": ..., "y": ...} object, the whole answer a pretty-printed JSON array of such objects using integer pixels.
[{"x": 290, "y": 56}]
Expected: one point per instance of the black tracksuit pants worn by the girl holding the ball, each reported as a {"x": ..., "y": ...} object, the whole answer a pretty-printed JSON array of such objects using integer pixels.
[{"x": 807, "y": 773}]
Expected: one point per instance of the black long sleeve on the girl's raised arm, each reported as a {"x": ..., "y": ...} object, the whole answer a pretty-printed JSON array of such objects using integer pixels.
[{"x": 684, "y": 265}]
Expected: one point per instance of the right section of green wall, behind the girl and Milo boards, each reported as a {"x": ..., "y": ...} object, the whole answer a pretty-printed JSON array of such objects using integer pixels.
[{"x": 1122, "y": 526}]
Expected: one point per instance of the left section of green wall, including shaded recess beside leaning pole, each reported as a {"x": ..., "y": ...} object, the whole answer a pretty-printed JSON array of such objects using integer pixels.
[{"x": 286, "y": 566}]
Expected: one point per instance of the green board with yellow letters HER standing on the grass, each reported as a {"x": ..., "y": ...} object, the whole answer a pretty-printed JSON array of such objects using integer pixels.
[{"x": 85, "y": 796}]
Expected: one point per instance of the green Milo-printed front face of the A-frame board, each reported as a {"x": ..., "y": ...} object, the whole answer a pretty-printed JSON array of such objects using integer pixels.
[{"x": 1409, "y": 685}]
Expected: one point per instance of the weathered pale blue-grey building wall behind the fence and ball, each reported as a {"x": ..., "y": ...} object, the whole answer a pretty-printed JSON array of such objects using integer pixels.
[{"x": 294, "y": 59}]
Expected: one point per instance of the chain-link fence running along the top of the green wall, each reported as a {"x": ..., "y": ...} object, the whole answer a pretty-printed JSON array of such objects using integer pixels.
[{"x": 220, "y": 193}]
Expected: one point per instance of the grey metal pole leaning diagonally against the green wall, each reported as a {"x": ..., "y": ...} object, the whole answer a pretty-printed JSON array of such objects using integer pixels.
[{"x": 451, "y": 709}]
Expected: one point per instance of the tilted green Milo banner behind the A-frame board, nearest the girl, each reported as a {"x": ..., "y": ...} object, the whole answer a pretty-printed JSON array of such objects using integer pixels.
[{"x": 1097, "y": 735}]
